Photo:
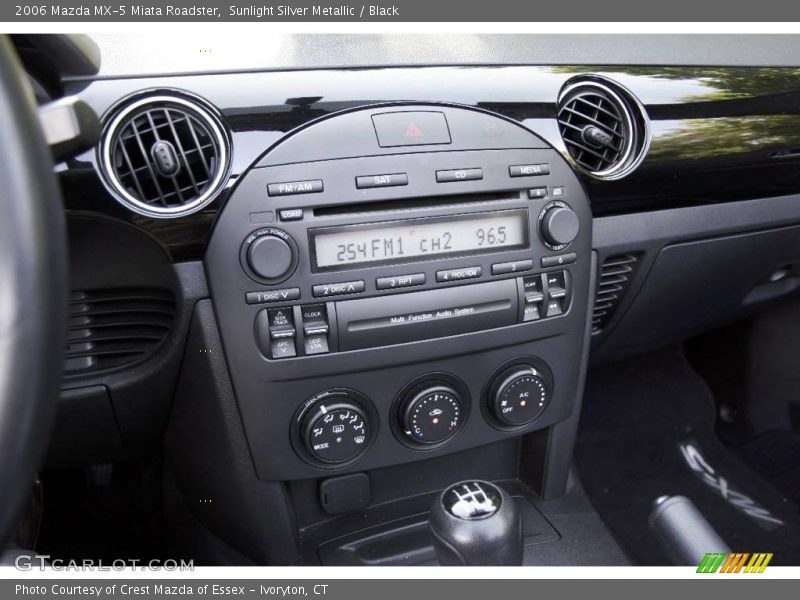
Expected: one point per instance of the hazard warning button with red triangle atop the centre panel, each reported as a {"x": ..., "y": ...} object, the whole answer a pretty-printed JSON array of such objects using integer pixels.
[{"x": 411, "y": 128}]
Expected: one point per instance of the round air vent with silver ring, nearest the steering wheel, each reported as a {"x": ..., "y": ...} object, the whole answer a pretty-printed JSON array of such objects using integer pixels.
[{"x": 164, "y": 155}]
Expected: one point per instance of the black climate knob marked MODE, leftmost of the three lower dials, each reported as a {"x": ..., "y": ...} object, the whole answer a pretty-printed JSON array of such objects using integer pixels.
[{"x": 336, "y": 431}]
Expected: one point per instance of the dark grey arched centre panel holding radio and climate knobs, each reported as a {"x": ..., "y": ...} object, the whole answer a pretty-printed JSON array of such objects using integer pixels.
[{"x": 397, "y": 282}]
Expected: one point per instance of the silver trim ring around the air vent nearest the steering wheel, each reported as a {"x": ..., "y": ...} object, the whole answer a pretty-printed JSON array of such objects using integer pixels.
[{"x": 115, "y": 187}]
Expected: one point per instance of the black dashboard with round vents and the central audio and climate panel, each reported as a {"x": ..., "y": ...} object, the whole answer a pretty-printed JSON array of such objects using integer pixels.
[{"x": 391, "y": 265}]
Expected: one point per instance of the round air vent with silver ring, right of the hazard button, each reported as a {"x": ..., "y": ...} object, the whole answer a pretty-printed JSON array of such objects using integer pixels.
[{"x": 605, "y": 129}]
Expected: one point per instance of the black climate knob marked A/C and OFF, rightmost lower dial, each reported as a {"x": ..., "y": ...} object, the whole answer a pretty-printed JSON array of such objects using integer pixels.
[{"x": 519, "y": 395}]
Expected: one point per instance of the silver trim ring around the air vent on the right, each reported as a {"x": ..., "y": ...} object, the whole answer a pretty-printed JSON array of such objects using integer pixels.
[{"x": 627, "y": 163}]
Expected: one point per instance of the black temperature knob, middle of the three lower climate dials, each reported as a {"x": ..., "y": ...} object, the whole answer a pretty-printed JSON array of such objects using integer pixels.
[{"x": 431, "y": 415}]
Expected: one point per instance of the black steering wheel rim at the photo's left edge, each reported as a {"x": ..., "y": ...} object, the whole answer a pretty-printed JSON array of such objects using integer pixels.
[{"x": 33, "y": 289}]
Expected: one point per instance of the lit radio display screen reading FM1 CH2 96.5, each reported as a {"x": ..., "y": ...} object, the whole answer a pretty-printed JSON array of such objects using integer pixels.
[{"x": 402, "y": 241}]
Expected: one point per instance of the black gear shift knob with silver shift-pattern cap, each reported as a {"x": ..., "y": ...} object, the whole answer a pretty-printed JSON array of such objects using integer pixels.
[{"x": 476, "y": 523}]
